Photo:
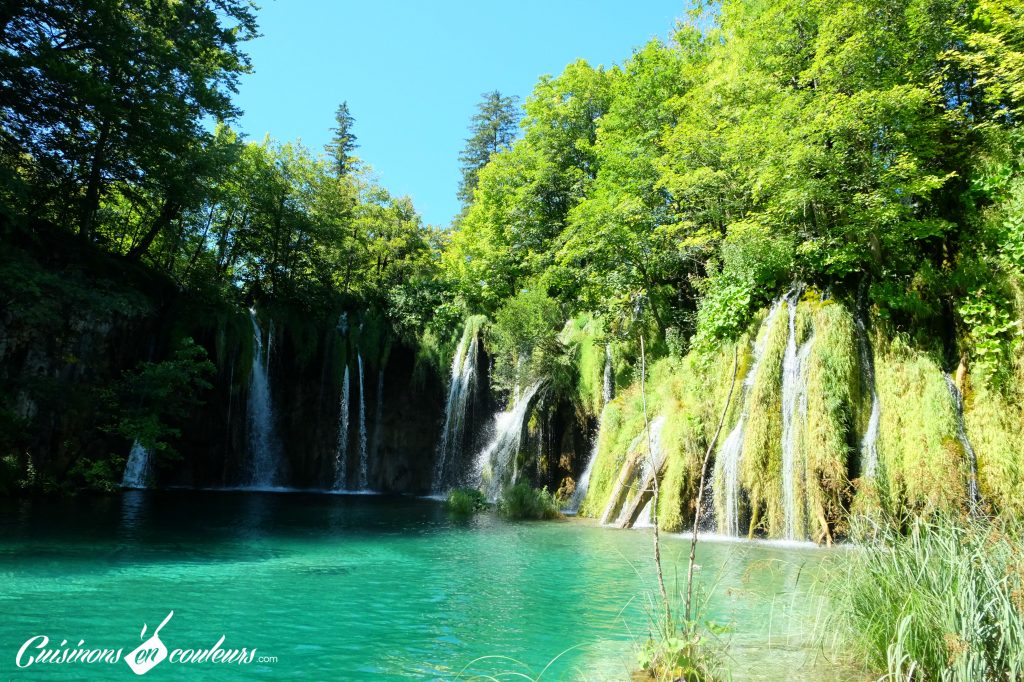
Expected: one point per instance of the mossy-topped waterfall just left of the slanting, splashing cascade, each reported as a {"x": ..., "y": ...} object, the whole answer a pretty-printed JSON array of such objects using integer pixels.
[{"x": 463, "y": 373}]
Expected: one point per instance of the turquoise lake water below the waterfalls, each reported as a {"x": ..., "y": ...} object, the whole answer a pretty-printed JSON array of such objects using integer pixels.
[{"x": 377, "y": 588}]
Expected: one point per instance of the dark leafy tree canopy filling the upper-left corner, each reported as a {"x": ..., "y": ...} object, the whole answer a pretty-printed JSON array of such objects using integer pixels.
[{"x": 103, "y": 93}]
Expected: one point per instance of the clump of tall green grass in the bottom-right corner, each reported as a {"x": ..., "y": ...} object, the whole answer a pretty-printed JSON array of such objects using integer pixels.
[{"x": 944, "y": 601}]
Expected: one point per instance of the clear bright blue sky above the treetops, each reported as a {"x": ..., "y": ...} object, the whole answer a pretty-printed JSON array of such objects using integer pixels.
[{"x": 414, "y": 71}]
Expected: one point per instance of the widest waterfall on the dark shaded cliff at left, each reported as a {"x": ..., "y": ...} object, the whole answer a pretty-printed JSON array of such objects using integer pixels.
[{"x": 265, "y": 449}]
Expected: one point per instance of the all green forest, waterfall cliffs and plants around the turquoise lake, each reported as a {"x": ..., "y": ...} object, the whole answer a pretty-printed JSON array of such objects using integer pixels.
[{"x": 801, "y": 223}]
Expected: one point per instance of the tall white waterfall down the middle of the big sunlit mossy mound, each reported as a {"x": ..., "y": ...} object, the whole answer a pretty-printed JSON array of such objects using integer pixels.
[{"x": 794, "y": 406}]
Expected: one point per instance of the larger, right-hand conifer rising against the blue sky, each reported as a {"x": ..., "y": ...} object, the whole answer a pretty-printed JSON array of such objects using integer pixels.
[{"x": 494, "y": 130}]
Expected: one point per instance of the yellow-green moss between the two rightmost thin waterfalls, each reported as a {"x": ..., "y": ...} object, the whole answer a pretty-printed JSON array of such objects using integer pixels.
[{"x": 922, "y": 464}]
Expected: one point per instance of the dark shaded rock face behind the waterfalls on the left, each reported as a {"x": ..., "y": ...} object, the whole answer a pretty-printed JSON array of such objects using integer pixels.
[{"x": 66, "y": 339}]
